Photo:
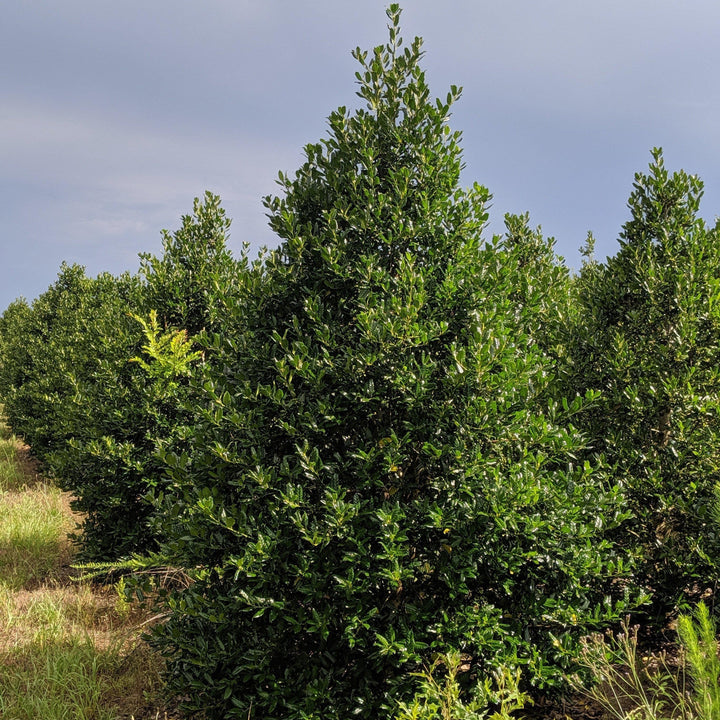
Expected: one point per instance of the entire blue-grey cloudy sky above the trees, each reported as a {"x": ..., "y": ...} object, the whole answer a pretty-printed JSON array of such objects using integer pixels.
[{"x": 115, "y": 115}]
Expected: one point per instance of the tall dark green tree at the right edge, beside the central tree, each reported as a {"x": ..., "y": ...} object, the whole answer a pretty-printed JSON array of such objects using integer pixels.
[{"x": 649, "y": 338}]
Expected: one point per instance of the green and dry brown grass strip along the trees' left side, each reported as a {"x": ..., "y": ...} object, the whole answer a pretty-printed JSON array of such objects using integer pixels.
[{"x": 68, "y": 650}]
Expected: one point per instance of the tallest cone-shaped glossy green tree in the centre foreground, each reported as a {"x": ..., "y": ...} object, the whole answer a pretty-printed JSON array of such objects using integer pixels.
[{"x": 372, "y": 480}]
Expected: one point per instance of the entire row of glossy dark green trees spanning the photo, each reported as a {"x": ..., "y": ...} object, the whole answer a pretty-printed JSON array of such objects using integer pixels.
[{"x": 389, "y": 440}]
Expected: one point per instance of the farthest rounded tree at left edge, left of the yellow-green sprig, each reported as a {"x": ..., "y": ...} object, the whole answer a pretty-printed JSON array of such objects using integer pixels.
[{"x": 53, "y": 343}]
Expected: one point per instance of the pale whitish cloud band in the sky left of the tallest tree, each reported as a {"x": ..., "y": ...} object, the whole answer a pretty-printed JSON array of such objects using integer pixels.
[{"x": 78, "y": 150}]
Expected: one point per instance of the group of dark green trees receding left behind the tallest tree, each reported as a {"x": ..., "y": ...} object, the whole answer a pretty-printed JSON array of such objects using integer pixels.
[{"x": 91, "y": 415}]
